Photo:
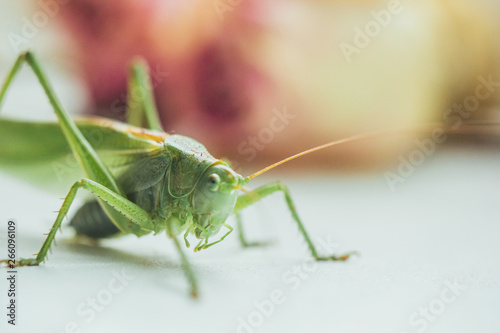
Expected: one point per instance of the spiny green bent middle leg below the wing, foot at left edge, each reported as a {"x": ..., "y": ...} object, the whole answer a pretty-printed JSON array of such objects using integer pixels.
[{"x": 126, "y": 208}]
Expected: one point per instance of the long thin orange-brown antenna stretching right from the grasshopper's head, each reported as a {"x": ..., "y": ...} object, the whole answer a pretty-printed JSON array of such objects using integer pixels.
[{"x": 422, "y": 128}]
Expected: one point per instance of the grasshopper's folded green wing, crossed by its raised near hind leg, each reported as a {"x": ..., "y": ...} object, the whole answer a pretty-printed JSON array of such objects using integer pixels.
[{"x": 39, "y": 153}]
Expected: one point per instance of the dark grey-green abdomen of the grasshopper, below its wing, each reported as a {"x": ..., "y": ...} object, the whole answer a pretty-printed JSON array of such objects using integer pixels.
[{"x": 91, "y": 220}]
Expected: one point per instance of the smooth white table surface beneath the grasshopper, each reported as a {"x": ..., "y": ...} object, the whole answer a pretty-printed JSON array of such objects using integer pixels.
[{"x": 440, "y": 228}]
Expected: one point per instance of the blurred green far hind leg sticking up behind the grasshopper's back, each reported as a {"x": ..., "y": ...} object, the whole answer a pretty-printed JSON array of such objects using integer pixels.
[{"x": 141, "y": 107}]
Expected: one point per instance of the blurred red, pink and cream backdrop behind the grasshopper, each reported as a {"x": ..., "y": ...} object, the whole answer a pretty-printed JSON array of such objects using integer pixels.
[{"x": 256, "y": 81}]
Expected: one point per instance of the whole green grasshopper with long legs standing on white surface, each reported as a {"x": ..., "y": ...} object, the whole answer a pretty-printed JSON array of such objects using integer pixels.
[{"x": 143, "y": 180}]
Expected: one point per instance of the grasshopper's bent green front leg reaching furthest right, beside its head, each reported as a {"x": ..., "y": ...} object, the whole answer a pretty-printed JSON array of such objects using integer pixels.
[{"x": 246, "y": 200}]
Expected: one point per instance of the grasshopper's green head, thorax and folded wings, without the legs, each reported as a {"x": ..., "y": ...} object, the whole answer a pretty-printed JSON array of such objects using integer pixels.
[{"x": 156, "y": 171}]
